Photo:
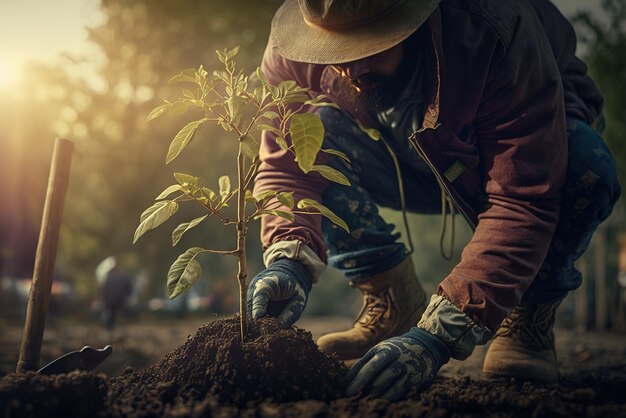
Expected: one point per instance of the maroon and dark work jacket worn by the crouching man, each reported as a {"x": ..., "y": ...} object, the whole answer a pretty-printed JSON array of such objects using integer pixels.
[{"x": 494, "y": 134}]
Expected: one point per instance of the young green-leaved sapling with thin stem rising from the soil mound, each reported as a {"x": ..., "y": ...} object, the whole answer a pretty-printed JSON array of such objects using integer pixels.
[{"x": 227, "y": 97}]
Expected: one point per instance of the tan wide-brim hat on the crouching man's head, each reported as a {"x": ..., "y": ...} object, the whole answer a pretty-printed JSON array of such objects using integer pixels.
[{"x": 338, "y": 31}]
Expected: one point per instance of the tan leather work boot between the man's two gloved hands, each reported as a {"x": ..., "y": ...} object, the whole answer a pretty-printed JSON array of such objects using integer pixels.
[{"x": 393, "y": 302}]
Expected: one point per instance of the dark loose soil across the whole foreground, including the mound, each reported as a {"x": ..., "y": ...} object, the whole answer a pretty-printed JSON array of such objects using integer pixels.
[{"x": 280, "y": 373}]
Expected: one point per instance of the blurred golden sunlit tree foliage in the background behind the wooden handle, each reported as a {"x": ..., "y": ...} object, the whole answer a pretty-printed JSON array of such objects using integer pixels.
[{"x": 101, "y": 101}]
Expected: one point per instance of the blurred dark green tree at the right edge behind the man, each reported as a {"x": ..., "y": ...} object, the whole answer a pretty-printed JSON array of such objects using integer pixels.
[{"x": 604, "y": 37}]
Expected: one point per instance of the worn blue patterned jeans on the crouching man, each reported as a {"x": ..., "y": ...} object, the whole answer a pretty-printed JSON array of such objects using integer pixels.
[{"x": 589, "y": 194}]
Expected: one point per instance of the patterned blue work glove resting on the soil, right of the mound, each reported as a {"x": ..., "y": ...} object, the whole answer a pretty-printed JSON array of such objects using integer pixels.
[{"x": 392, "y": 367}]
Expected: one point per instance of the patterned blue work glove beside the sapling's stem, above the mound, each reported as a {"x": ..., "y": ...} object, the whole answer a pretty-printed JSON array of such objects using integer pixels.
[{"x": 281, "y": 290}]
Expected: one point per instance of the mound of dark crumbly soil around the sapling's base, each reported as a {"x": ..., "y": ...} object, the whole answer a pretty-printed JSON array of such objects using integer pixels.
[{"x": 275, "y": 363}]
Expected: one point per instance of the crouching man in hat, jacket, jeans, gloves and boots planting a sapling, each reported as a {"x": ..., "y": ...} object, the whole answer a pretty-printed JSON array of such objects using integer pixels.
[{"x": 483, "y": 109}]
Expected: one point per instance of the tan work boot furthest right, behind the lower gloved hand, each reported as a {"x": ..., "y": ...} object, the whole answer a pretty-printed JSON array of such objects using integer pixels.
[{"x": 524, "y": 345}]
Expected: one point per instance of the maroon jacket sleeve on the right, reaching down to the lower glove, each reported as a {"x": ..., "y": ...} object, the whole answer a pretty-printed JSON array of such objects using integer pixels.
[{"x": 523, "y": 148}]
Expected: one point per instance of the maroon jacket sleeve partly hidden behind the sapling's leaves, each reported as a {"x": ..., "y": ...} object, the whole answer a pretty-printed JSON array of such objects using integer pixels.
[{"x": 279, "y": 172}]
